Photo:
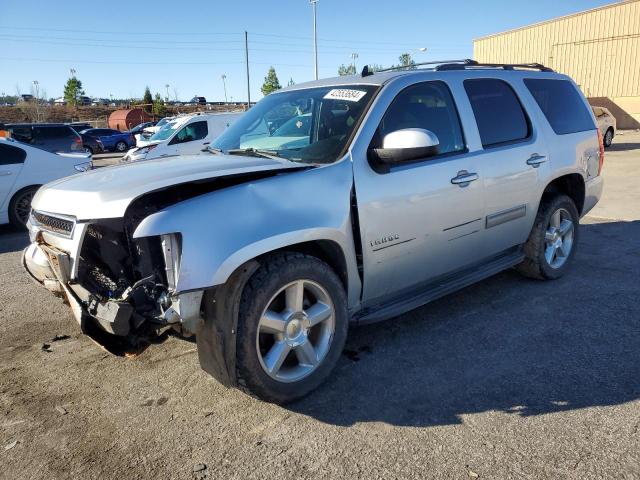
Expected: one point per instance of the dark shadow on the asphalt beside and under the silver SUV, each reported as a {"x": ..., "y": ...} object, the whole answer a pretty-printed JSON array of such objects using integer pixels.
[{"x": 507, "y": 344}]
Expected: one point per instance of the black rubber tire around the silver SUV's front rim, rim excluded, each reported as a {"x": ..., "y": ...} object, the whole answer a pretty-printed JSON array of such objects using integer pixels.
[{"x": 273, "y": 274}]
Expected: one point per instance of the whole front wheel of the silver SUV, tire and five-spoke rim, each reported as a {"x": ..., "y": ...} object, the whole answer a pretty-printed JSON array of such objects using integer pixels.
[{"x": 292, "y": 327}]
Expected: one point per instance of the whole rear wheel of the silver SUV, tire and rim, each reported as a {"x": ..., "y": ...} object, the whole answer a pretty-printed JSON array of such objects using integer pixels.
[{"x": 553, "y": 239}]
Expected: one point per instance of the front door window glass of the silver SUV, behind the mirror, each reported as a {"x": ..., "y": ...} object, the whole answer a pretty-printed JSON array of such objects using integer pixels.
[{"x": 428, "y": 106}]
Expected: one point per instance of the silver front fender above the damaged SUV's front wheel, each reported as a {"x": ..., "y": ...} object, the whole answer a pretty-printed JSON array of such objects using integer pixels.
[{"x": 223, "y": 229}]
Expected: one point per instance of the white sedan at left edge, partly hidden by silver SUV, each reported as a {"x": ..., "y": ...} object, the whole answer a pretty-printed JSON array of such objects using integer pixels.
[{"x": 23, "y": 169}]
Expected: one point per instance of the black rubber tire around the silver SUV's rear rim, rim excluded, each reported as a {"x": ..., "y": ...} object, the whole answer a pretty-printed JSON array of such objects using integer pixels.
[{"x": 535, "y": 264}]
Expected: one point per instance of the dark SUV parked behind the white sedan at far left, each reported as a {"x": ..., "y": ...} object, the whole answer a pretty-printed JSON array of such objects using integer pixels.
[{"x": 53, "y": 137}]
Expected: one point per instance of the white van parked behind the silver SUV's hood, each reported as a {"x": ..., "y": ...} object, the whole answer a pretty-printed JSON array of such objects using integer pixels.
[{"x": 183, "y": 135}]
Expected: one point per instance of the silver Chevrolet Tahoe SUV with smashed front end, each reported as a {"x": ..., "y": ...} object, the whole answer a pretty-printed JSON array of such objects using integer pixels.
[{"x": 328, "y": 204}]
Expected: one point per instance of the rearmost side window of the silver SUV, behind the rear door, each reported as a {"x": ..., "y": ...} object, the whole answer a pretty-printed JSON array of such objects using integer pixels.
[{"x": 561, "y": 103}]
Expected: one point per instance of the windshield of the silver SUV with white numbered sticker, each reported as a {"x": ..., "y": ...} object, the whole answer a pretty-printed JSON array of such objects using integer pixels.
[{"x": 311, "y": 125}]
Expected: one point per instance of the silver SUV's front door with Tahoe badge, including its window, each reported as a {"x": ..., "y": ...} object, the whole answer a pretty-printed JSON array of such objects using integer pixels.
[{"x": 418, "y": 221}]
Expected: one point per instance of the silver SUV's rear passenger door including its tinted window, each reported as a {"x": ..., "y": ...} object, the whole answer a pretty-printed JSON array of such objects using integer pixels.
[{"x": 513, "y": 157}]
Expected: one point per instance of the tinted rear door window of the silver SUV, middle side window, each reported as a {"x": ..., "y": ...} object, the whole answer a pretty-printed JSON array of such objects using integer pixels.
[{"x": 498, "y": 112}]
